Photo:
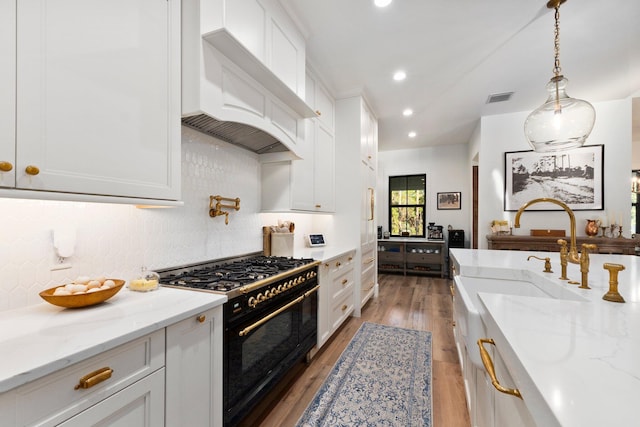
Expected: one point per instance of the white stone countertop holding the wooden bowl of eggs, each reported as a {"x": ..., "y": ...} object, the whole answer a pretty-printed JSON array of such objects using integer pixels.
[{"x": 43, "y": 338}]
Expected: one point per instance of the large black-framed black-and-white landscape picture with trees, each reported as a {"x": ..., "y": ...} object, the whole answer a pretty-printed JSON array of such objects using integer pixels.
[{"x": 575, "y": 177}]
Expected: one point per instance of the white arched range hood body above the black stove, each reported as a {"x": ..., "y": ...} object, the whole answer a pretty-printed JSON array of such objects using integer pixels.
[{"x": 231, "y": 95}]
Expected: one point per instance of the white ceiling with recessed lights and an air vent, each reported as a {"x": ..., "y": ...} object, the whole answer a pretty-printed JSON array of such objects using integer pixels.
[{"x": 458, "y": 52}]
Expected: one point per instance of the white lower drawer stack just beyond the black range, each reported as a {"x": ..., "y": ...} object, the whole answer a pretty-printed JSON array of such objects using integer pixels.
[{"x": 336, "y": 295}]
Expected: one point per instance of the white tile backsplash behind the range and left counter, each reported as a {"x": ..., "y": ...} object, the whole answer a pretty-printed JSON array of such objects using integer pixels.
[{"x": 117, "y": 240}]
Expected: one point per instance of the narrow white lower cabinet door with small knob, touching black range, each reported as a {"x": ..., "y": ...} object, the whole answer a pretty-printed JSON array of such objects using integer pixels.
[{"x": 194, "y": 371}]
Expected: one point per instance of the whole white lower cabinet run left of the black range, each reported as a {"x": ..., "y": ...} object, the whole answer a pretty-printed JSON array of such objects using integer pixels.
[{"x": 174, "y": 373}]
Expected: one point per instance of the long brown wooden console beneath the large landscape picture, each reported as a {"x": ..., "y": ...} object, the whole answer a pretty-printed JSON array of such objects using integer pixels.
[{"x": 606, "y": 245}]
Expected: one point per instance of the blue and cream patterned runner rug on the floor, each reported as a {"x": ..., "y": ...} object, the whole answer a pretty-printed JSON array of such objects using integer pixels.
[{"x": 383, "y": 378}]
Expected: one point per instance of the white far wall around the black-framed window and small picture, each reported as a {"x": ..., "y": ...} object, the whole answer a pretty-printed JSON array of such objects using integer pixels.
[{"x": 447, "y": 169}]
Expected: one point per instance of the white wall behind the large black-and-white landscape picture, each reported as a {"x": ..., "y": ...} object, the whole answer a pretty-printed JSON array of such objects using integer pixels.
[{"x": 503, "y": 133}]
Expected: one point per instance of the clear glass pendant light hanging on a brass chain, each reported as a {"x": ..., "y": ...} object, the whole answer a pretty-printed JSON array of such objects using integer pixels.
[{"x": 562, "y": 122}]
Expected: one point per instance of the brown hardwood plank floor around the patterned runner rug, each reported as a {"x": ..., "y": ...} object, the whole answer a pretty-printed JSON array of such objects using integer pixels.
[{"x": 415, "y": 302}]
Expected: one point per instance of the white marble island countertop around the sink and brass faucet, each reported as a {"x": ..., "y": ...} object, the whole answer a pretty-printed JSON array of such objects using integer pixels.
[{"x": 576, "y": 363}]
